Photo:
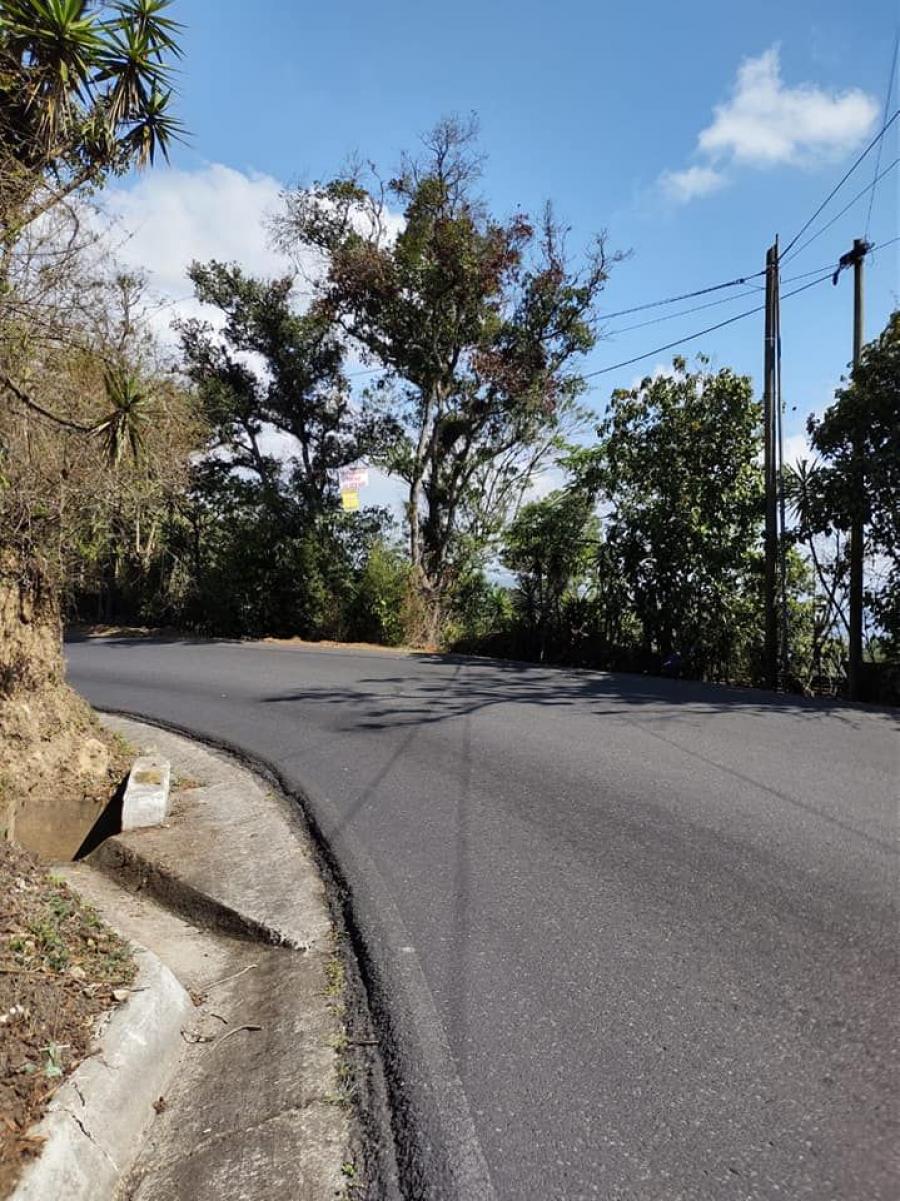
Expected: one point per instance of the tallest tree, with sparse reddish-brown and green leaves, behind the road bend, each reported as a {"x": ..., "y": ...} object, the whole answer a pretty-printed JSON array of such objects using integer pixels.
[{"x": 475, "y": 324}]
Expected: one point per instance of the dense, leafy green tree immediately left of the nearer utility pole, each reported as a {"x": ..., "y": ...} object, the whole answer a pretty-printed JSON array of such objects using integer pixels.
[{"x": 677, "y": 468}]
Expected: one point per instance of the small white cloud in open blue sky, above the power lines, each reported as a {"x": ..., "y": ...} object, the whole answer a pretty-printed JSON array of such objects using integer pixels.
[{"x": 767, "y": 123}]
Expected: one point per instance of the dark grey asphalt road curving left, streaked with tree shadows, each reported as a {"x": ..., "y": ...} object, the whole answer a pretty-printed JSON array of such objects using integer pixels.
[{"x": 628, "y": 939}]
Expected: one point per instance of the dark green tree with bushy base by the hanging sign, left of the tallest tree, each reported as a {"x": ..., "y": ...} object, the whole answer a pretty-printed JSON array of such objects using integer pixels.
[{"x": 272, "y": 554}]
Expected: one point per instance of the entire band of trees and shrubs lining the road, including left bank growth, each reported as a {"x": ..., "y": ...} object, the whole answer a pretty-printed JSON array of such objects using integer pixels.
[{"x": 414, "y": 331}]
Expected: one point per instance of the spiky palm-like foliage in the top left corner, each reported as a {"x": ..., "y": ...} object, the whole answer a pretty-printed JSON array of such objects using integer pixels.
[{"x": 85, "y": 91}]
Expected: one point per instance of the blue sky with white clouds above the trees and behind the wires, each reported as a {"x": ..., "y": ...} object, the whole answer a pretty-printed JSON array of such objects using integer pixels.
[{"x": 601, "y": 109}]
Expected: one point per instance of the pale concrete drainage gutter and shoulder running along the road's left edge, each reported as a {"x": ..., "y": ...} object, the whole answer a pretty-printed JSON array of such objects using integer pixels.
[{"x": 229, "y": 895}]
